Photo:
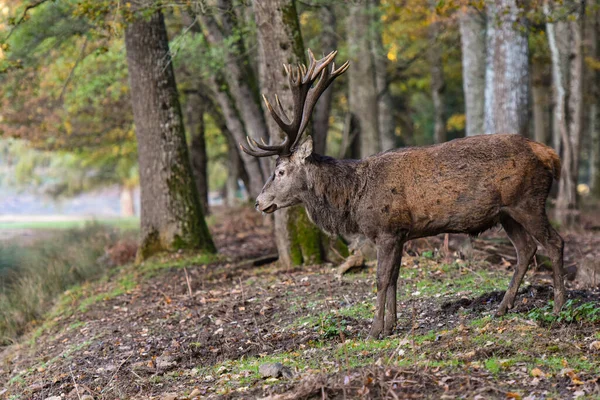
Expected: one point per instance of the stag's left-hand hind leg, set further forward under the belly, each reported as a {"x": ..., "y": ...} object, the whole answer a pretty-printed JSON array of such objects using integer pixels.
[{"x": 525, "y": 247}]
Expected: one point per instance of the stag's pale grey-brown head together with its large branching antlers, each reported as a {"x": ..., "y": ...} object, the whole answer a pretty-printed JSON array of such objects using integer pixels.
[{"x": 286, "y": 184}]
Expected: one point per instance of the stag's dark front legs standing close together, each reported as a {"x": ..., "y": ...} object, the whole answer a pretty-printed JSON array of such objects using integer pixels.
[{"x": 388, "y": 257}]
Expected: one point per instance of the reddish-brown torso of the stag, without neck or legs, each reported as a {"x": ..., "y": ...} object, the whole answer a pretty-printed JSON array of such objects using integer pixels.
[{"x": 458, "y": 186}]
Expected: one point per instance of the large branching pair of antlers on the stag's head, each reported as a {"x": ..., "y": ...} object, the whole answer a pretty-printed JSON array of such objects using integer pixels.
[{"x": 305, "y": 96}]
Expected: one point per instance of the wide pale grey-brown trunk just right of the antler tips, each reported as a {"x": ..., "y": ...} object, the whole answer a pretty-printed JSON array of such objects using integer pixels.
[{"x": 362, "y": 99}]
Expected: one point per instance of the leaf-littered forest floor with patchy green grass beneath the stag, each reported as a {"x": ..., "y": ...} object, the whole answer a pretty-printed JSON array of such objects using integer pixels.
[{"x": 200, "y": 327}]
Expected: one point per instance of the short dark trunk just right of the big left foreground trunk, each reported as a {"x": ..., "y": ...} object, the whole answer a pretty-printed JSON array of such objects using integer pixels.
[{"x": 199, "y": 160}]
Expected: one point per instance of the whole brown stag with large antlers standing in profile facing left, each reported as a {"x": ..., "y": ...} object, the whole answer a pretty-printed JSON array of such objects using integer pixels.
[{"x": 466, "y": 185}]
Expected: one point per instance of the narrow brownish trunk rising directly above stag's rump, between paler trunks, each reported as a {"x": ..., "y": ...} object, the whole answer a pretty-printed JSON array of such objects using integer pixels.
[{"x": 541, "y": 97}]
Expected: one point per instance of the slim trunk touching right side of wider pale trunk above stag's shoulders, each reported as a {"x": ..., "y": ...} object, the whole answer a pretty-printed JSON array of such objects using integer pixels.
[{"x": 385, "y": 105}]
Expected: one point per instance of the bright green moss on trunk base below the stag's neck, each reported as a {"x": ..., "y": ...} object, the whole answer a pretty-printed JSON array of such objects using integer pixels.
[{"x": 306, "y": 245}]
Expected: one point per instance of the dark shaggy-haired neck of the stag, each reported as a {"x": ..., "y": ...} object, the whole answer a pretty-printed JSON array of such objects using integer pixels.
[{"x": 333, "y": 188}]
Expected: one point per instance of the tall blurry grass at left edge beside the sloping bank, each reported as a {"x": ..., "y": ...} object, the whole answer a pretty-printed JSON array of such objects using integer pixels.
[{"x": 32, "y": 277}]
